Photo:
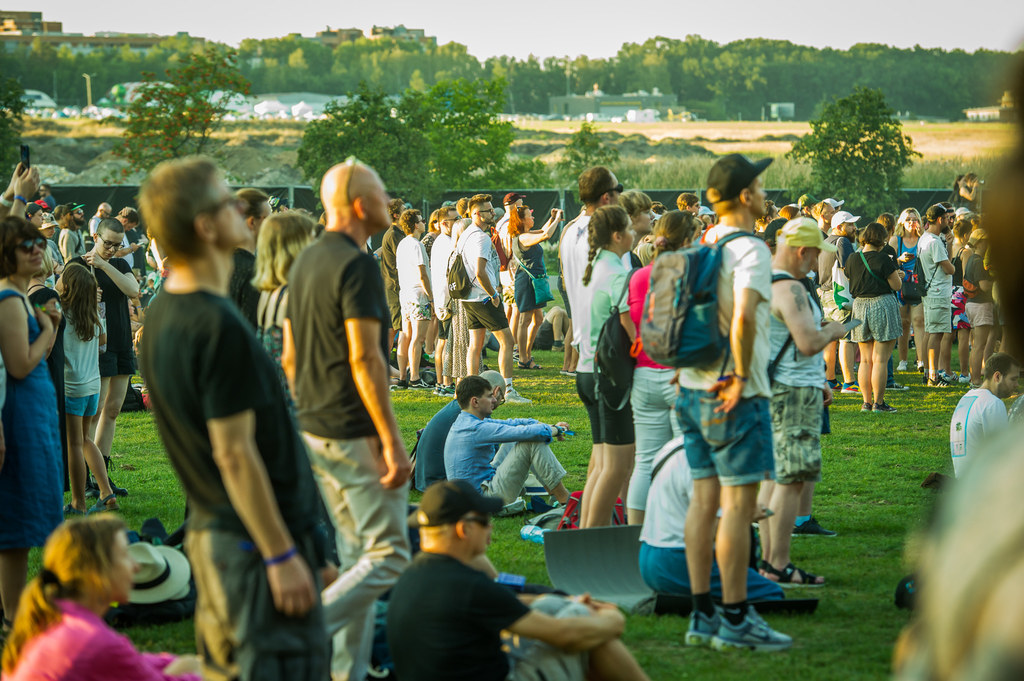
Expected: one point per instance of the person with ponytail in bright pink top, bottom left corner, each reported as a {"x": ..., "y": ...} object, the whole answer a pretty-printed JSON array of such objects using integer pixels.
[{"x": 60, "y": 633}]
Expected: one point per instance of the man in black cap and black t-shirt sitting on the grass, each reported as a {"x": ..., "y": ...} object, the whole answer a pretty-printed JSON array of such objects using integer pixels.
[{"x": 446, "y": 617}]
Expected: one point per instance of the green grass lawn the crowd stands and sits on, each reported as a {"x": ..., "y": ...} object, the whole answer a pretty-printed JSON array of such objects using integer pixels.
[{"x": 871, "y": 495}]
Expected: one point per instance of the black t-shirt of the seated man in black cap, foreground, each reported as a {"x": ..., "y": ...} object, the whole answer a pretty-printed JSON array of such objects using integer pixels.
[{"x": 445, "y": 621}]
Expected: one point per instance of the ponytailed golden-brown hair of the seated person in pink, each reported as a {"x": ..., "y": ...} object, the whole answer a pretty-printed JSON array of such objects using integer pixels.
[{"x": 77, "y": 564}]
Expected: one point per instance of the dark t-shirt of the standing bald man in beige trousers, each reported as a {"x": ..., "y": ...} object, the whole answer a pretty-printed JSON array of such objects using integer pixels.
[{"x": 331, "y": 282}]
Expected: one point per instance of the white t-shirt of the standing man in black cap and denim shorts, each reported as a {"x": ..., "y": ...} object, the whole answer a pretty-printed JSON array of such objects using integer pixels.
[{"x": 746, "y": 265}]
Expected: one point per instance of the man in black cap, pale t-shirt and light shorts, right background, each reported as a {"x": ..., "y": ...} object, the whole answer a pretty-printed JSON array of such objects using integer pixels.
[{"x": 934, "y": 257}]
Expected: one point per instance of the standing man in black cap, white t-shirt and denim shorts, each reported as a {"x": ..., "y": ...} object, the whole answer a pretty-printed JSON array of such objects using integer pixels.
[{"x": 730, "y": 447}]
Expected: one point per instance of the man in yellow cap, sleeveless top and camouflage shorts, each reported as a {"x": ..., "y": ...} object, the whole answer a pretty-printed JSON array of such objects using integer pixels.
[{"x": 799, "y": 393}]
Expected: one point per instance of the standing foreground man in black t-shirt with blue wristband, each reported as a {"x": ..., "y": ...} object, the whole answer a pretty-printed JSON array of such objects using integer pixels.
[{"x": 222, "y": 415}]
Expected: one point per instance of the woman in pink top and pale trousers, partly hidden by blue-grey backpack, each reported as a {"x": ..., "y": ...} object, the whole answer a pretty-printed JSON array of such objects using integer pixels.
[{"x": 654, "y": 396}]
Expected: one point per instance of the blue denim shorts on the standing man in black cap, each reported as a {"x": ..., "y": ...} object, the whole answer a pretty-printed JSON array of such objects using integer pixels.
[{"x": 736, "y": 447}]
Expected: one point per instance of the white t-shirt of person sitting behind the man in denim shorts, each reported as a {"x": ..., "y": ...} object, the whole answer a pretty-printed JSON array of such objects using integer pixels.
[{"x": 669, "y": 499}]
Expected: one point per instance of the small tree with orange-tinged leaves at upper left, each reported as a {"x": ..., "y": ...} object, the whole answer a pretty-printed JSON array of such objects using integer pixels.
[{"x": 178, "y": 117}]
